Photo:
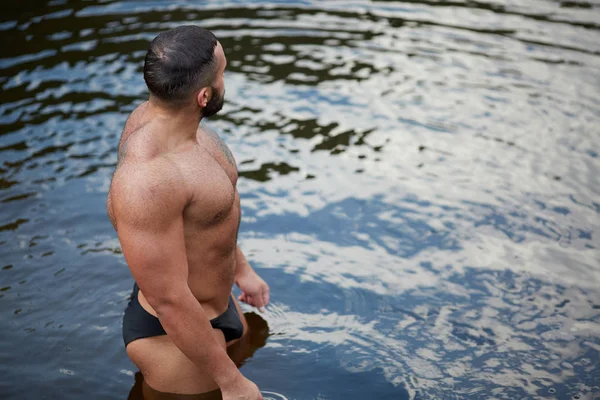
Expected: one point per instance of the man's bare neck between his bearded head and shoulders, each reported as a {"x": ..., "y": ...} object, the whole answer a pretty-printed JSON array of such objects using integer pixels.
[{"x": 182, "y": 121}]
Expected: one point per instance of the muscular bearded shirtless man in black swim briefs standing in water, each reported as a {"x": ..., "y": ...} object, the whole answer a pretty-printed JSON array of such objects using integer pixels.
[{"x": 174, "y": 204}]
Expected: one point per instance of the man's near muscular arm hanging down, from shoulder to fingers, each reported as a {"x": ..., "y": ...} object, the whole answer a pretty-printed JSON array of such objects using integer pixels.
[{"x": 149, "y": 210}]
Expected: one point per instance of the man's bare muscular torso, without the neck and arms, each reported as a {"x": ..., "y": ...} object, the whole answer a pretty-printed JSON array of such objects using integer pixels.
[{"x": 211, "y": 217}]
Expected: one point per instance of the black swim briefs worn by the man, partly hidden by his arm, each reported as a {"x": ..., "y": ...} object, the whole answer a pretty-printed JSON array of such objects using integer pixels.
[{"x": 139, "y": 323}]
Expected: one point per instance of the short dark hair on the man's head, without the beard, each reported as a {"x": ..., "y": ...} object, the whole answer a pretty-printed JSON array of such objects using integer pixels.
[{"x": 179, "y": 62}]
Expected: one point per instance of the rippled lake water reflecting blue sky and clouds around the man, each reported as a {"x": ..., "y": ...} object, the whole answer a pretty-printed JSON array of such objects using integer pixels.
[{"x": 420, "y": 186}]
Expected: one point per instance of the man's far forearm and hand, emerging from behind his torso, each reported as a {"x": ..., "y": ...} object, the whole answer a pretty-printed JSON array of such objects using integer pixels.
[{"x": 255, "y": 290}]
